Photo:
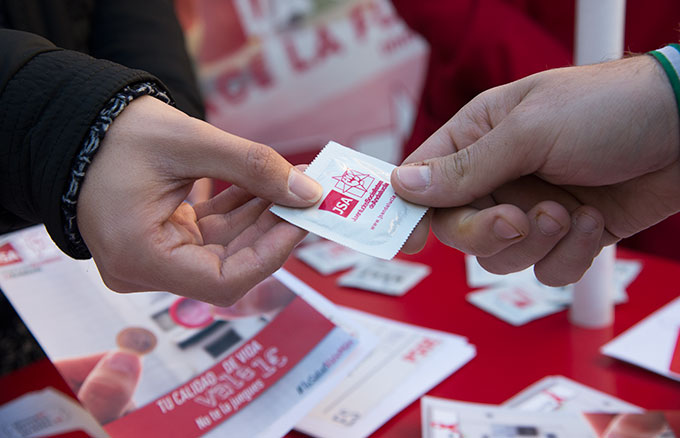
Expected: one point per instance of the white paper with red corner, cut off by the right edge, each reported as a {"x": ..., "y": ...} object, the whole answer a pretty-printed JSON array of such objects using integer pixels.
[{"x": 651, "y": 343}]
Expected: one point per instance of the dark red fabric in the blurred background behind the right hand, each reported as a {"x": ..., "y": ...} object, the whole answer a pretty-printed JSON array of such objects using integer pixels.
[{"x": 479, "y": 44}]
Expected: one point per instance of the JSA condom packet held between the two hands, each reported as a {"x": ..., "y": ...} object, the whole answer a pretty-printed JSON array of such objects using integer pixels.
[{"x": 358, "y": 208}]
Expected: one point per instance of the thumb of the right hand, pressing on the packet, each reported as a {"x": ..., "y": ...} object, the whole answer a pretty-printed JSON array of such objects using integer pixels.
[{"x": 470, "y": 173}]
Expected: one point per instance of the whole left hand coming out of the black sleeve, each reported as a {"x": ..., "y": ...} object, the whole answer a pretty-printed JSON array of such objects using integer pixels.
[{"x": 143, "y": 236}]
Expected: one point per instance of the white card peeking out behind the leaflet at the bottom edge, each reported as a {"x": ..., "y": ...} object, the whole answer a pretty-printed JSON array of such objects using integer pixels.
[{"x": 554, "y": 393}]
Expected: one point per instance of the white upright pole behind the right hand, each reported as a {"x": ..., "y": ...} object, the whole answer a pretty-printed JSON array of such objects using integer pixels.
[{"x": 599, "y": 37}]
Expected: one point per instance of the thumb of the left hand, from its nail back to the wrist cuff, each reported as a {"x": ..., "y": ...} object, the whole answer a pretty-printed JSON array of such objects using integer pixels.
[{"x": 177, "y": 147}]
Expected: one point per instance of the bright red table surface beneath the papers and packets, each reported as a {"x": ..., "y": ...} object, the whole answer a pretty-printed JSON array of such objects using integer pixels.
[{"x": 508, "y": 358}]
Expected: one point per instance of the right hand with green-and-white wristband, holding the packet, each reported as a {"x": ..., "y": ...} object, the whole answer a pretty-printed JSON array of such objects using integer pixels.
[{"x": 547, "y": 170}]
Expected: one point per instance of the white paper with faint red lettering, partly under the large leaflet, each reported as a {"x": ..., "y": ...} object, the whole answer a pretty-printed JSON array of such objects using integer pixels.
[{"x": 407, "y": 362}]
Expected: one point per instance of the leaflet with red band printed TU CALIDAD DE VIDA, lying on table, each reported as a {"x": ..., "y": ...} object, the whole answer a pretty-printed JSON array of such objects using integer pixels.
[{"x": 210, "y": 381}]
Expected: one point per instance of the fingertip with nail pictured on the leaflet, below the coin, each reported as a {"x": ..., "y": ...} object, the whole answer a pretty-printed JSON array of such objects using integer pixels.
[{"x": 107, "y": 391}]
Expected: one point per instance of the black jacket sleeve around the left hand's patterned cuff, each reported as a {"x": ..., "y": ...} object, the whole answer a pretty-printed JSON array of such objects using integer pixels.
[{"x": 48, "y": 100}]
